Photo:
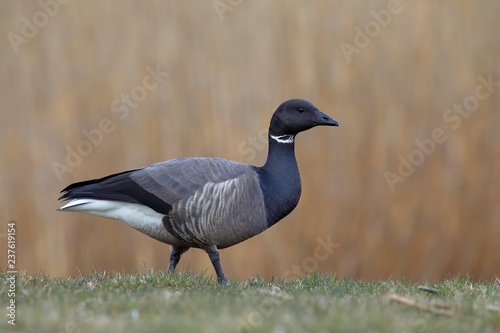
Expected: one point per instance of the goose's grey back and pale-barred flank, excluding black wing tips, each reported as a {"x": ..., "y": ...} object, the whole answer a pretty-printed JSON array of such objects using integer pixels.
[{"x": 214, "y": 201}]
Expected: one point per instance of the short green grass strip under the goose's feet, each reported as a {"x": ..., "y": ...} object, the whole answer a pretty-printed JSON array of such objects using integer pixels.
[{"x": 182, "y": 302}]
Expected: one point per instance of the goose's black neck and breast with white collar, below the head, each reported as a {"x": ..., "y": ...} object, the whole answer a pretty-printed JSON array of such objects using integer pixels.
[{"x": 280, "y": 178}]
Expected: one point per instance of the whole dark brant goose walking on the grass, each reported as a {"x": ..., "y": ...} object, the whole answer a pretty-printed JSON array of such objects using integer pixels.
[{"x": 206, "y": 203}]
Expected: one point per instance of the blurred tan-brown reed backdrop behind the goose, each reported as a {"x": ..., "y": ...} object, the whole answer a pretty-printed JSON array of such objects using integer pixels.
[{"x": 227, "y": 72}]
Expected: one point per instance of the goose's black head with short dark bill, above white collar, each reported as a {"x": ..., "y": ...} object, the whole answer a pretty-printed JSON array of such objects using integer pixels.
[{"x": 297, "y": 115}]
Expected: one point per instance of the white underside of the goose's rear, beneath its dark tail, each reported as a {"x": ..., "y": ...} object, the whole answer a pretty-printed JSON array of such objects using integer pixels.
[{"x": 137, "y": 216}]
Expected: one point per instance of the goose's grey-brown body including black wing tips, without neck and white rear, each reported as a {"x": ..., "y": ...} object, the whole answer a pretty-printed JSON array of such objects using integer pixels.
[{"x": 206, "y": 201}]
